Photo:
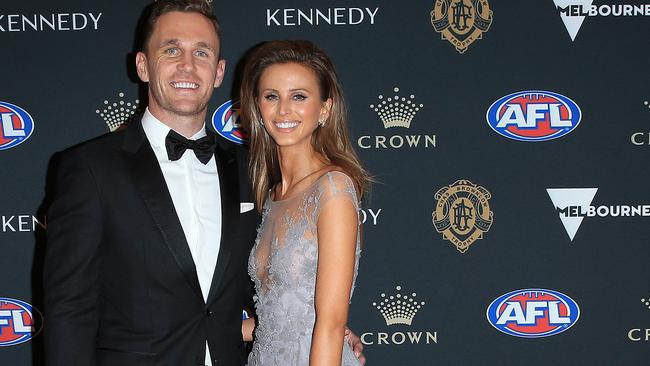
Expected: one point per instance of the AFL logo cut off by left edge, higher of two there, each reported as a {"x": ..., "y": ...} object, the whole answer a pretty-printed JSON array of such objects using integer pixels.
[{"x": 17, "y": 125}]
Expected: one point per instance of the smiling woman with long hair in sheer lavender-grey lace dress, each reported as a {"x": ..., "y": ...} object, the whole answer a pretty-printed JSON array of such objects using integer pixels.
[{"x": 308, "y": 180}]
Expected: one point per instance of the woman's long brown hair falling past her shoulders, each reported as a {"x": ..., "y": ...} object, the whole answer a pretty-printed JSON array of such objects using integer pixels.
[{"x": 330, "y": 140}]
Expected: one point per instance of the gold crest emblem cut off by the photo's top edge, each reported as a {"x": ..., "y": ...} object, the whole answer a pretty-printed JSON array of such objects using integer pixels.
[{"x": 461, "y": 22}]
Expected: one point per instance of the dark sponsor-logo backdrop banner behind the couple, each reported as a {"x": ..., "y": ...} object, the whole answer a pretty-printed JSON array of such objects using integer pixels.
[{"x": 510, "y": 141}]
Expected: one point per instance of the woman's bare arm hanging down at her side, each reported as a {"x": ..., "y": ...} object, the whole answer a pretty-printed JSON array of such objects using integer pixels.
[{"x": 337, "y": 235}]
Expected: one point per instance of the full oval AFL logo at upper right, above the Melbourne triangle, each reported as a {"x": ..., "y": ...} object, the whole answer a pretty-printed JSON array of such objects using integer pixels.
[{"x": 534, "y": 115}]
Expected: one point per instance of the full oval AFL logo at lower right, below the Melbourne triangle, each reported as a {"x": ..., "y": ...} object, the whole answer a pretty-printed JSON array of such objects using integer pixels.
[{"x": 533, "y": 313}]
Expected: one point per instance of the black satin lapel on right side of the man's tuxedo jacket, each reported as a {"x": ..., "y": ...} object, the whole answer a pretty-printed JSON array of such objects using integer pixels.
[{"x": 229, "y": 187}]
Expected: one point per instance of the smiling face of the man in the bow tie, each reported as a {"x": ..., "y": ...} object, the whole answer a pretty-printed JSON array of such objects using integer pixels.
[{"x": 181, "y": 65}]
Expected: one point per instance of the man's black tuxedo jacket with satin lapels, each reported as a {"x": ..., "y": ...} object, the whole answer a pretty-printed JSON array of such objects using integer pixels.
[{"x": 120, "y": 284}]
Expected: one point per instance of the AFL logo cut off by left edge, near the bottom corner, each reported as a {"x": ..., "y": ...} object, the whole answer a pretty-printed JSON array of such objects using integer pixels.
[{"x": 19, "y": 322}]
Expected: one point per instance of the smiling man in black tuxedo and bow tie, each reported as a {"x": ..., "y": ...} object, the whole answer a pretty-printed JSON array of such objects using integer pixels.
[{"x": 150, "y": 229}]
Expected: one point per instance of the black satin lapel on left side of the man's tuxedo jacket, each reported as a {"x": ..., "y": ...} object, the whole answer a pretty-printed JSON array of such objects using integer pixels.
[{"x": 150, "y": 184}]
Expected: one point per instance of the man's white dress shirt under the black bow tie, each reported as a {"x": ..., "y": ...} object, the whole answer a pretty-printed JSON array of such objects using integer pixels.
[{"x": 194, "y": 188}]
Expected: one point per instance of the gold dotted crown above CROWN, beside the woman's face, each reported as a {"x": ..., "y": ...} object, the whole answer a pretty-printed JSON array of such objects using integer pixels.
[{"x": 396, "y": 111}]
